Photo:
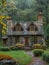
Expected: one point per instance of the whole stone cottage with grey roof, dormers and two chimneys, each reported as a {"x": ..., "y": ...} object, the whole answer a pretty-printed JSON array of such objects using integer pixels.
[{"x": 27, "y": 33}]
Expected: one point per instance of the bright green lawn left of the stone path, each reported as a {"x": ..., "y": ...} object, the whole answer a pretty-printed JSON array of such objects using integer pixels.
[{"x": 21, "y": 56}]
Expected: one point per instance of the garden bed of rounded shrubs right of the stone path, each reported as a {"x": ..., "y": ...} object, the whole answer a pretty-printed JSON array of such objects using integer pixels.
[{"x": 41, "y": 51}]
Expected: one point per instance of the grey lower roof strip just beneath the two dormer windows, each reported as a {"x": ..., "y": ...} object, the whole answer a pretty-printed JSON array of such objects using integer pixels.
[{"x": 22, "y": 33}]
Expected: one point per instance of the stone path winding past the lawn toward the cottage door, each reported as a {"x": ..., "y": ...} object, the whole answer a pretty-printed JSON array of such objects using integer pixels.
[{"x": 36, "y": 60}]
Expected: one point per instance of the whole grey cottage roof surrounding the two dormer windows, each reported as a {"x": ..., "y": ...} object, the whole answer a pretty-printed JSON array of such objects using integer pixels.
[{"x": 25, "y": 25}]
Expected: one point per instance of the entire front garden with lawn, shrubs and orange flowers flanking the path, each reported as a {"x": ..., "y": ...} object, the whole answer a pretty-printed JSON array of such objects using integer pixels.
[{"x": 18, "y": 54}]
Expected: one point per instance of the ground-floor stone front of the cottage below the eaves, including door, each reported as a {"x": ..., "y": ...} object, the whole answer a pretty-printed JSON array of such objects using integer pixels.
[{"x": 26, "y": 40}]
